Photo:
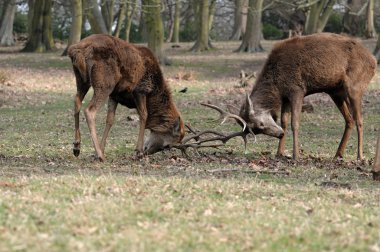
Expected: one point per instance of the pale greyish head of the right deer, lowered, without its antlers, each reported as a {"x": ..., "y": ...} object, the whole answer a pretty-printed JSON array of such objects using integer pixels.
[{"x": 259, "y": 120}]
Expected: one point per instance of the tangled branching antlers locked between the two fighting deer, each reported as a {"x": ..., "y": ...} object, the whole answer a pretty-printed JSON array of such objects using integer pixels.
[{"x": 196, "y": 141}]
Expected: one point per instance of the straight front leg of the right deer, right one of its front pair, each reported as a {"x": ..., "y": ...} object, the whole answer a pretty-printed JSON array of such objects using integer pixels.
[{"x": 296, "y": 107}]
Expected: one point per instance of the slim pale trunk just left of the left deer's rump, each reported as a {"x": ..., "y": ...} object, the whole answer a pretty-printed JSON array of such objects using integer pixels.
[{"x": 76, "y": 25}]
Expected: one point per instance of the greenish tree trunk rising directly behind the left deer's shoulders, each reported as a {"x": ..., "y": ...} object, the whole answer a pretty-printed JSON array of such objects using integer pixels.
[{"x": 153, "y": 22}]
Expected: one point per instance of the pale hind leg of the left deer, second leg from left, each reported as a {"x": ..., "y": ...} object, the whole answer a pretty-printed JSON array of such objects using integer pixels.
[{"x": 90, "y": 112}]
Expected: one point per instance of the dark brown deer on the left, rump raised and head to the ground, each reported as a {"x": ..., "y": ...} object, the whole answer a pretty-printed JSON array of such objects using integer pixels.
[{"x": 129, "y": 75}]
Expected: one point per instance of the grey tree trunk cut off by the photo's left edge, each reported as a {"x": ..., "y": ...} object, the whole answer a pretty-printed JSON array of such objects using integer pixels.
[{"x": 6, "y": 23}]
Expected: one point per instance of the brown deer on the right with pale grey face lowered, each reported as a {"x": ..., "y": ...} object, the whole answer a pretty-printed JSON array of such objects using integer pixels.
[{"x": 300, "y": 66}]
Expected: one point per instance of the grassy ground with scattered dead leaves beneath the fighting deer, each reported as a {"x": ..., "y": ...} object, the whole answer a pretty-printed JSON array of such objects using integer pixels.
[{"x": 218, "y": 200}]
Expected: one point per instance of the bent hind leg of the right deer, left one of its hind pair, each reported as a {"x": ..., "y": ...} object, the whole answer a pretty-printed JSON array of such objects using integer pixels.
[{"x": 344, "y": 109}]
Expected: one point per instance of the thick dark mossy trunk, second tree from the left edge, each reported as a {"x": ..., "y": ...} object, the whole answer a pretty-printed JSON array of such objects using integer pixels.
[{"x": 41, "y": 35}]
